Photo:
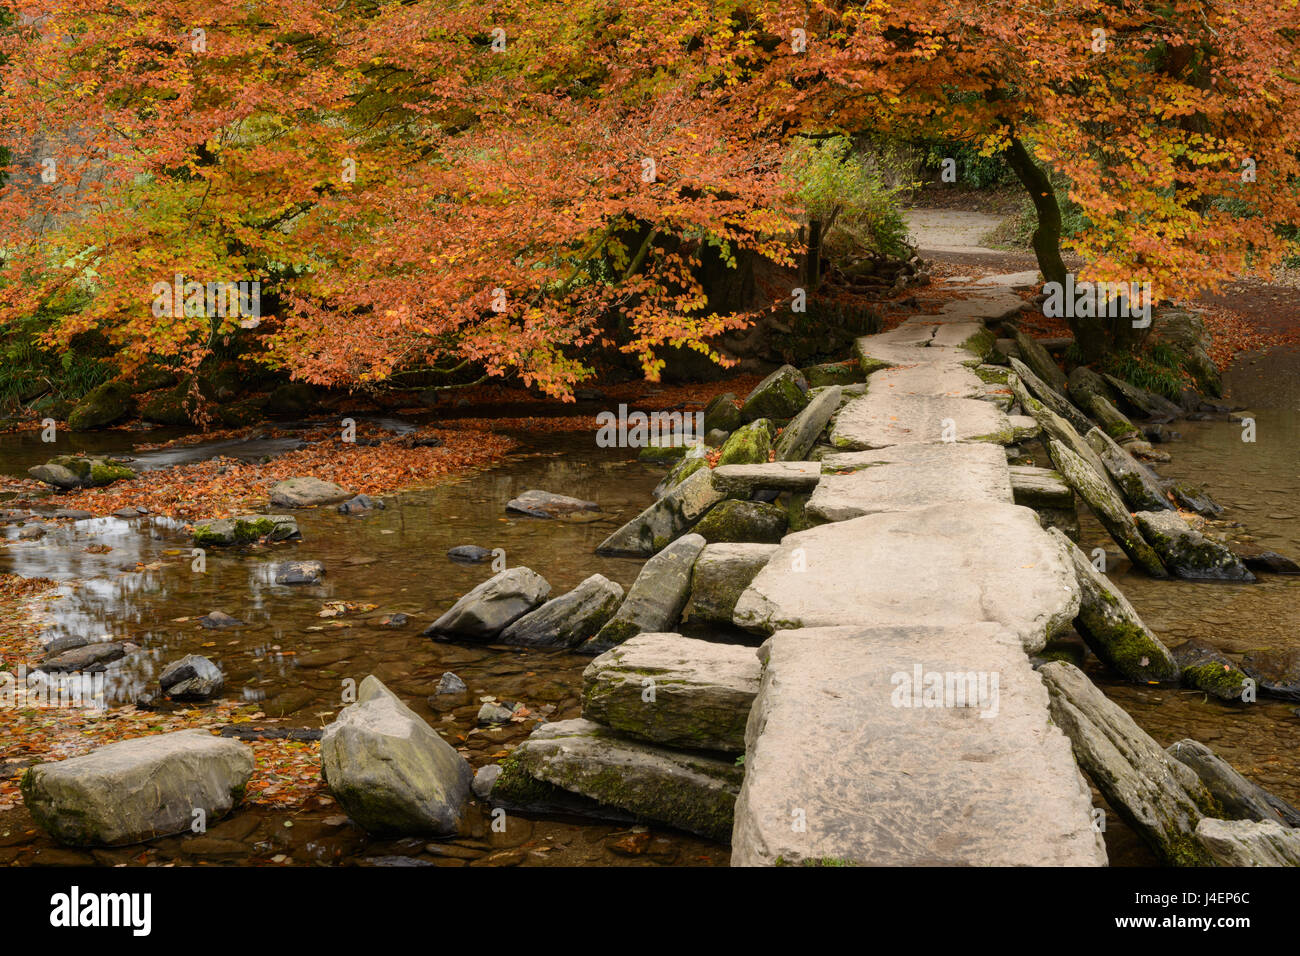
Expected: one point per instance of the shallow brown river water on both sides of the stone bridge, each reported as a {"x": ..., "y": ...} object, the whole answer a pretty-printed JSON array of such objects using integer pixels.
[{"x": 293, "y": 663}]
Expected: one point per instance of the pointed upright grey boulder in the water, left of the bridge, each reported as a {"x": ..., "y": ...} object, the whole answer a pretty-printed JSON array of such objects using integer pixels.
[{"x": 389, "y": 771}]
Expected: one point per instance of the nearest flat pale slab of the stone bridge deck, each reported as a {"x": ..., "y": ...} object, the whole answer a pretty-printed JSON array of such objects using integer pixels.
[{"x": 847, "y": 764}]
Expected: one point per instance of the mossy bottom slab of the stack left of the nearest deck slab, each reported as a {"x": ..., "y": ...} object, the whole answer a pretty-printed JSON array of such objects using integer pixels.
[{"x": 684, "y": 790}]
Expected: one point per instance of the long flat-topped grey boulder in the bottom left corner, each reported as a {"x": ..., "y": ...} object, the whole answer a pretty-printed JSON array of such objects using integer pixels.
[{"x": 138, "y": 790}]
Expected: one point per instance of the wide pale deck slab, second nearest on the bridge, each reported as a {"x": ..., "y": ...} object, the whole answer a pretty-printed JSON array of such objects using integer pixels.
[{"x": 948, "y": 565}]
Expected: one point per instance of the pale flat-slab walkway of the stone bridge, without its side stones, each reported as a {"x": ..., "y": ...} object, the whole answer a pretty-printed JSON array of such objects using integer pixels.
[{"x": 899, "y": 720}]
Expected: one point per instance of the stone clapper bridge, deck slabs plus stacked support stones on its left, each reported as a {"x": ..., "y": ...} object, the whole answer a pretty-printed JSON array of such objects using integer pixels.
[{"x": 922, "y": 569}]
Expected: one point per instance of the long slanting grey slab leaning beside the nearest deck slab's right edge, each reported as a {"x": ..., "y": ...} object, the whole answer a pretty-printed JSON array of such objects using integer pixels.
[{"x": 1156, "y": 795}]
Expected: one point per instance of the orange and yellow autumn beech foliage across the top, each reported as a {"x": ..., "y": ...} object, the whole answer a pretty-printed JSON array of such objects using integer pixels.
[{"x": 430, "y": 188}]
